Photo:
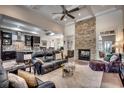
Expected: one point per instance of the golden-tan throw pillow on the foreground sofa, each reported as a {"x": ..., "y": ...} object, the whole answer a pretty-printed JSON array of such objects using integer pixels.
[{"x": 29, "y": 78}]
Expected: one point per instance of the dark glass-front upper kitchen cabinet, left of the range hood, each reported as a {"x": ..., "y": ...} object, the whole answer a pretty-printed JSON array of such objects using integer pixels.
[{"x": 6, "y": 38}]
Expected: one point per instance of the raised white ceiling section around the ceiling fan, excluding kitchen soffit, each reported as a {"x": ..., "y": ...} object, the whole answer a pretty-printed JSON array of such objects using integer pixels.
[{"x": 84, "y": 12}]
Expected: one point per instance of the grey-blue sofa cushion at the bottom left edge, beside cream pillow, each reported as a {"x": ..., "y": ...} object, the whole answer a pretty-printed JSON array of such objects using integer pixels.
[{"x": 4, "y": 83}]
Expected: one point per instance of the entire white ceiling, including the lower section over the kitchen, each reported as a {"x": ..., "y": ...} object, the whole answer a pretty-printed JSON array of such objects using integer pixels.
[{"x": 42, "y": 17}]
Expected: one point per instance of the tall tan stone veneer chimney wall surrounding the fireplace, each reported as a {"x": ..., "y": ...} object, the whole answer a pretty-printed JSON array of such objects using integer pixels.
[{"x": 85, "y": 36}]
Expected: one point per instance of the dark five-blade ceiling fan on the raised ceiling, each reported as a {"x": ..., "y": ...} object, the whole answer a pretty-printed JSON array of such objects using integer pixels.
[{"x": 66, "y": 12}]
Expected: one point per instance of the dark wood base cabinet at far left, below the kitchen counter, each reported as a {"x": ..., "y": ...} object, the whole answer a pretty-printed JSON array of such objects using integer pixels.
[{"x": 8, "y": 55}]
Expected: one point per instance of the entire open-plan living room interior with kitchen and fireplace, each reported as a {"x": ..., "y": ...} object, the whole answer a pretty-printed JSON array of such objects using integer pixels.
[{"x": 62, "y": 46}]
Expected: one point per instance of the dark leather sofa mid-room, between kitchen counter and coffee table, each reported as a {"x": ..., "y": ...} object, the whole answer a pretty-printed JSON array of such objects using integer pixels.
[{"x": 50, "y": 61}]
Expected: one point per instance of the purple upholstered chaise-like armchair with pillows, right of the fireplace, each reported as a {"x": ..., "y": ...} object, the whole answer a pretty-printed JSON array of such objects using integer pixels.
[{"x": 111, "y": 66}]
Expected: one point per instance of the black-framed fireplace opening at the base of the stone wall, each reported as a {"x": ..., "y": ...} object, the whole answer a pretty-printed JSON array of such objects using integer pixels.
[{"x": 84, "y": 54}]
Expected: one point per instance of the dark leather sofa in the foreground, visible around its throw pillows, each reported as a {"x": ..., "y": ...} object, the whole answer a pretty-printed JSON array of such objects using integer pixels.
[{"x": 4, "y": 82}]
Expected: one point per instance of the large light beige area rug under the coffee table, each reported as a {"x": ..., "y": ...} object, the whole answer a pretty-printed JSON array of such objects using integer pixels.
[{"x": 83, "y": 77}]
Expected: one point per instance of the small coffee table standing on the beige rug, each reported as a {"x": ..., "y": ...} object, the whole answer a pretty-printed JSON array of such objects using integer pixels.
[{"x": 68, "y": 69}]
